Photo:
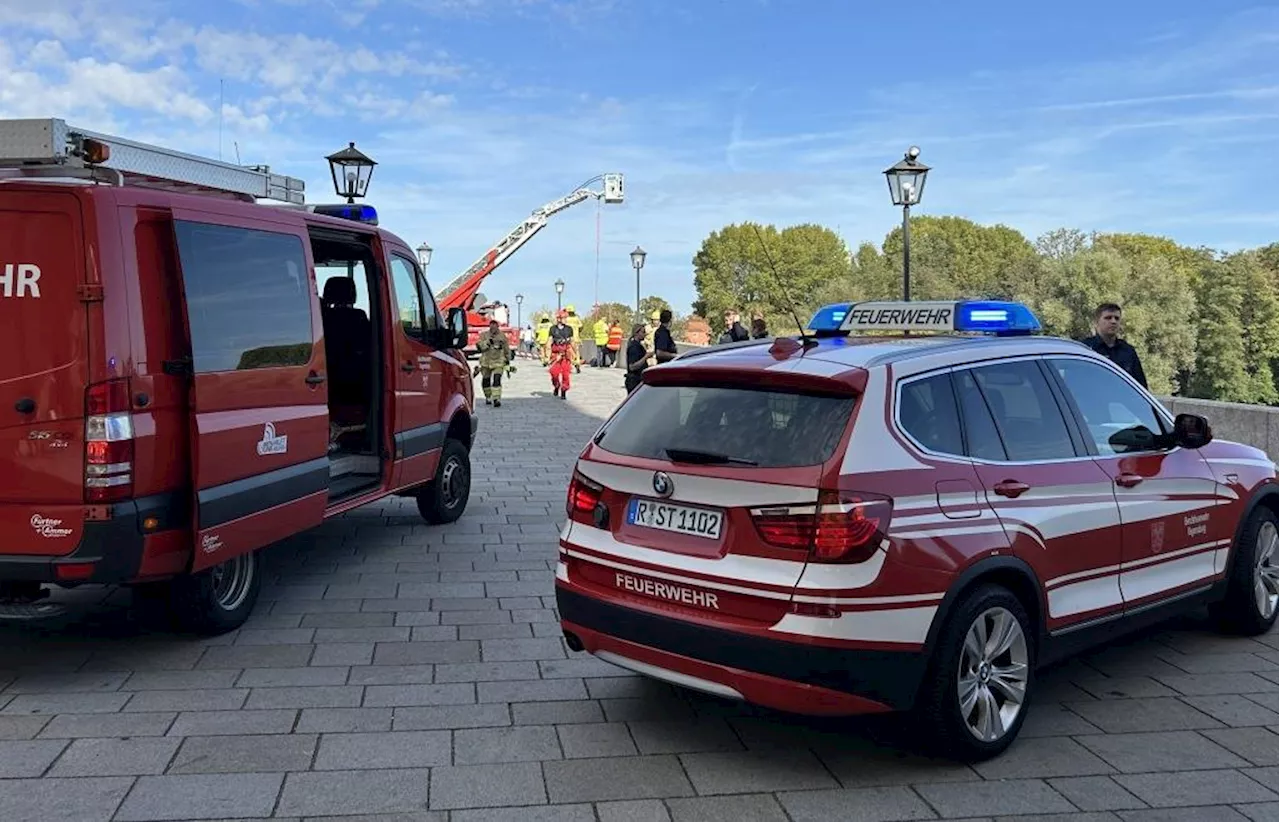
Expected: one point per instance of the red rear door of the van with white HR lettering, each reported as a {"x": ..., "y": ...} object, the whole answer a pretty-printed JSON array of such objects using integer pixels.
[{"x": 44, "y": 372}]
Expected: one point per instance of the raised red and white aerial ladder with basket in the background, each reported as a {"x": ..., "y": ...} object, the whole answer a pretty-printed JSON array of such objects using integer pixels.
[{"x": 461, "y": 291}]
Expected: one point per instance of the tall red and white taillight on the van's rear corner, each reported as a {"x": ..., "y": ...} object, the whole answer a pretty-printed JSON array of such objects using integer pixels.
[{"x": 108, "y": 442}]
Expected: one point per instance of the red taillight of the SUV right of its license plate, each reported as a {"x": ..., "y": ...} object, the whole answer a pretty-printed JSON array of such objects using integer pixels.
[{"x": 842, "y": 528}]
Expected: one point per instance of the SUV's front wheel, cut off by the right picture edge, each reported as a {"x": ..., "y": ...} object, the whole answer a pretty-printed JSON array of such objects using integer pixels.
[{"x": 1252, "y": 600}]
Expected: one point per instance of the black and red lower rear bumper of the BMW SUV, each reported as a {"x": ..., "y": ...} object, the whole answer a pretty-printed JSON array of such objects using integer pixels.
[{"x": 772, "y": 673}]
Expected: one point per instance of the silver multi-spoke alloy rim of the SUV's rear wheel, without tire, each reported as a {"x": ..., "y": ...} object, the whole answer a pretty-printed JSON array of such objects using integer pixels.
[{"x": 993, "y": 678}]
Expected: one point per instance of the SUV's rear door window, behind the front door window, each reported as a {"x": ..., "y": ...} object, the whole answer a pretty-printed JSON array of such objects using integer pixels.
[{"x": 1027, "y": 415}]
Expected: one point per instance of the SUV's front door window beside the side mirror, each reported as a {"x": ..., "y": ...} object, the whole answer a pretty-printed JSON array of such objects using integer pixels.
[{"x": 1119, "y": 419}]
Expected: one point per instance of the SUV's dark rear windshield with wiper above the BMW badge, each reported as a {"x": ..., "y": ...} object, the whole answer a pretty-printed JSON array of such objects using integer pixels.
[{"x": 735, "y": 426}]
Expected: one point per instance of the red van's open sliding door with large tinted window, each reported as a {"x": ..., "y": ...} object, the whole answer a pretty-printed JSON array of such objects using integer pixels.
[{"x": 259, "y": 401}]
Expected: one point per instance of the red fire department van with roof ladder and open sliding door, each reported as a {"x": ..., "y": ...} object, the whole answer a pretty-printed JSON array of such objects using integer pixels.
[{"x": 191, "y": 375}]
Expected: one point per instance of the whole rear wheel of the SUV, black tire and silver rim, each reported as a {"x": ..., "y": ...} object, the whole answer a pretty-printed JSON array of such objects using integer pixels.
[{"x": 971, "y": 707}]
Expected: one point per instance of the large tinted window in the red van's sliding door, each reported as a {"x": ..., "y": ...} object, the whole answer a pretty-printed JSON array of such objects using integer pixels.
[{"x": 249, "y": 298}]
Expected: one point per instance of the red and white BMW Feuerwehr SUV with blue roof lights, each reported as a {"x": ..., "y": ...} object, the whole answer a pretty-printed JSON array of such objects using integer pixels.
[{"x": 854, "y": 524}]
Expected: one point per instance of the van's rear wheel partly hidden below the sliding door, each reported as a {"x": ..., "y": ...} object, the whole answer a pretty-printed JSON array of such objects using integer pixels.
[{"x": 212, "y": 604}]
